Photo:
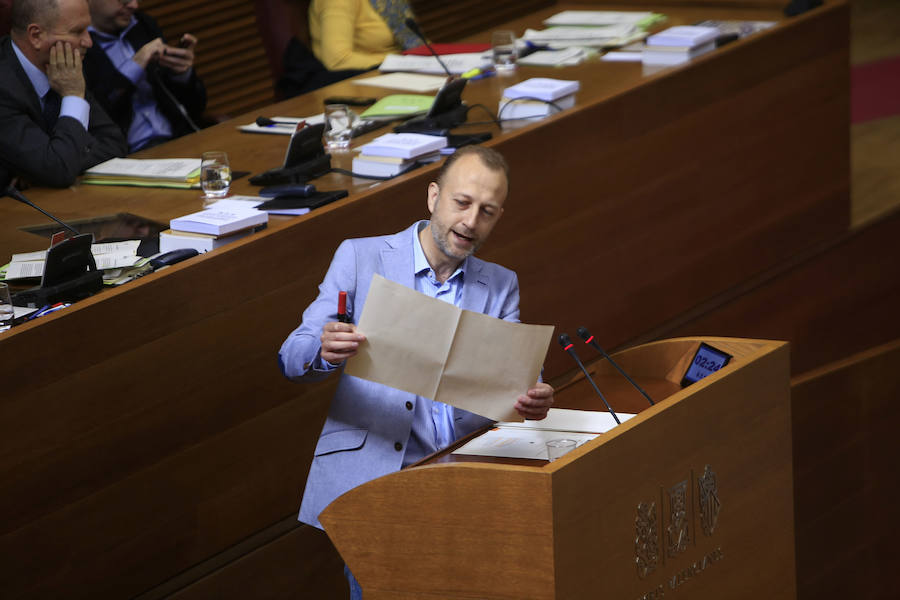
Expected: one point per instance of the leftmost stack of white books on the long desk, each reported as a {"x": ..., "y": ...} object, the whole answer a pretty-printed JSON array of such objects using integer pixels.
[{"x": 223, "y": 223}]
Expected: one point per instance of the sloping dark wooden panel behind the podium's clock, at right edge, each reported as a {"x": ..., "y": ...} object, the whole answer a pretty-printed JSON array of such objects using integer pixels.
[{"x": 838, "y": 300}]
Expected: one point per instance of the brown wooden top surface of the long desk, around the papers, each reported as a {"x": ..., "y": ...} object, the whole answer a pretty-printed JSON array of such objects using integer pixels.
[{"x": 600, "y": 81}]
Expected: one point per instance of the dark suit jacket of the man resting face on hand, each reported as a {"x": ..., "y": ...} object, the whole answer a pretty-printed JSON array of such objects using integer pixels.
[{"x": 29, "y": 148}]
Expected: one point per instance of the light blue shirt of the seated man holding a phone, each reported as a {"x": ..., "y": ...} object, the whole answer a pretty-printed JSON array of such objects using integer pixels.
[{"x": 148, "y": 122}]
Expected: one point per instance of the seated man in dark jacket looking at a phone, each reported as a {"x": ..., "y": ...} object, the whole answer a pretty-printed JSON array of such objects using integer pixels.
[{"x": 148, "y": 87}]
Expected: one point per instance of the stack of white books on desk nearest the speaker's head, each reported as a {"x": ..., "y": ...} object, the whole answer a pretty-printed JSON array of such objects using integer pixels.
[{"x": 395, "y": 153}]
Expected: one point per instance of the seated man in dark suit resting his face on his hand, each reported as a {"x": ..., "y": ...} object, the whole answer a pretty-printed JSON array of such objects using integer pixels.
[{"x": 51, "y": 129}]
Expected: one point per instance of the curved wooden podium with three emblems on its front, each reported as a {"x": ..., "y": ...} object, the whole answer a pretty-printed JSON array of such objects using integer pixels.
[{"x": 692, "y": 498}]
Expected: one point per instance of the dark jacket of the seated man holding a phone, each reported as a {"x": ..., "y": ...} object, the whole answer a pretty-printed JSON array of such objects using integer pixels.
[{"x": 115, "y": 92}]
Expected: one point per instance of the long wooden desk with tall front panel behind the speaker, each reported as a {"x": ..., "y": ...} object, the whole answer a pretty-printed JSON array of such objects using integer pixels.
[{"x": 148, "y": 428}]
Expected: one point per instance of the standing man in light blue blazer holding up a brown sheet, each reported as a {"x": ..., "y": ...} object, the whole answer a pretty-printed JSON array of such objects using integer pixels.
[{"x": 372, "y": 429}]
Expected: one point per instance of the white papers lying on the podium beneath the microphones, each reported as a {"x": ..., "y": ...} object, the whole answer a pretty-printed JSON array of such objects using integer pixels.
[{"x": 529, "y": 439}]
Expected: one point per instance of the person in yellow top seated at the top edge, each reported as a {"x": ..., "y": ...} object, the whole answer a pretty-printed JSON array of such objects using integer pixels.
[{"x": 357, "y": 34}]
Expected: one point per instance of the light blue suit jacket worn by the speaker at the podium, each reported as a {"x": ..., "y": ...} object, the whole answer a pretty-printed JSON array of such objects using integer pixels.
[{"x": 369, "y": 424}]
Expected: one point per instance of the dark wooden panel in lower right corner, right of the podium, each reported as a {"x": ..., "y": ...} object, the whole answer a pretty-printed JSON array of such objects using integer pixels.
[{"x": 845, "y": 421}]
